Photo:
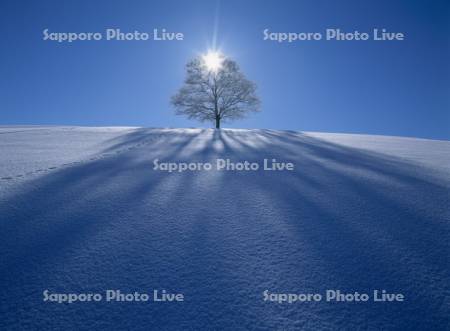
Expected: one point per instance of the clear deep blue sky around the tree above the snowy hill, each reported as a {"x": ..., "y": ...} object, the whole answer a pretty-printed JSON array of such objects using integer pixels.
[{"x": 392, "y": 88}]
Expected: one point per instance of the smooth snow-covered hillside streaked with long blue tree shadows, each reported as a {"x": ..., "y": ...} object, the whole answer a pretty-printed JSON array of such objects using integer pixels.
[{"x": 82, "y": 210}]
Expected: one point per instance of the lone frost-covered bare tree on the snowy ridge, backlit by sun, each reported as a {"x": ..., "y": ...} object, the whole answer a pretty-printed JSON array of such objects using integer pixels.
[{"x": 215, "y": 93}]
